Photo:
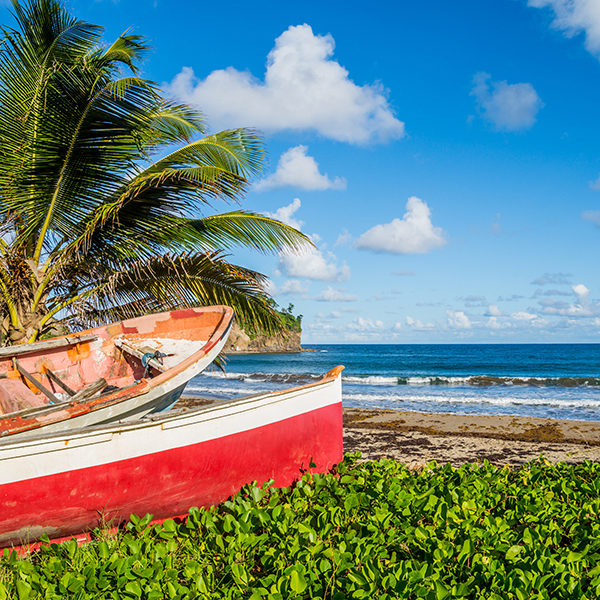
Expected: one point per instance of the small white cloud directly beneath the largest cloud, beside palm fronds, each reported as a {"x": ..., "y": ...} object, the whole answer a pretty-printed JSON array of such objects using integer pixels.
[{"x": 296, "y": 169}]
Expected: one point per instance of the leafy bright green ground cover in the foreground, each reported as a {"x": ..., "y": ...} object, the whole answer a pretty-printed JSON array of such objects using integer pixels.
[{"x": 370, "y": 530}]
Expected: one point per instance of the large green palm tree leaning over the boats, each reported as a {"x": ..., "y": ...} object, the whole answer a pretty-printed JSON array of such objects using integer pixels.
[{"x": 102, "y": 181}]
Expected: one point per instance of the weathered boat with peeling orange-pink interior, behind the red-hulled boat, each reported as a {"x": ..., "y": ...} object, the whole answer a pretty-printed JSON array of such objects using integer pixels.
[{"x": 120, "y": 371}]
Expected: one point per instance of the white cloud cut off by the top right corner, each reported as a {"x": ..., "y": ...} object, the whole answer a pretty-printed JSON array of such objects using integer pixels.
[{"x": 574, "y": 17}]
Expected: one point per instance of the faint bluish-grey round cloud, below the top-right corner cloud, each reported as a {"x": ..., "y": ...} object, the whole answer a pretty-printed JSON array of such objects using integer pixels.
[{"x": 510, "y": 107}]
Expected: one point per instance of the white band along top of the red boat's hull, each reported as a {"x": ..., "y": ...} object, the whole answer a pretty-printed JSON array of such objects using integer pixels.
[{"x": 48, "y": 455}]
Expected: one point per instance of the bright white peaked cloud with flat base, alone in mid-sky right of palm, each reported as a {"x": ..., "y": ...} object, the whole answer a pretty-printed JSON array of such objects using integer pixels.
[{"x": 413, "y": 234}]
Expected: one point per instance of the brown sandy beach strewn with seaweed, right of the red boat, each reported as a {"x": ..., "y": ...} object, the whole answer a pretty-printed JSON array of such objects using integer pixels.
[{"x": 417, "y": 438}]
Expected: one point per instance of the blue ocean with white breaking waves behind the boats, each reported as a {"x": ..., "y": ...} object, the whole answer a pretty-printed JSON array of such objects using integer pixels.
[{"x": 560, "y": 381}]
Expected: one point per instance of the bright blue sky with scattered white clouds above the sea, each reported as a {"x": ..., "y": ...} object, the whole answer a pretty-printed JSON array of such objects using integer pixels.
[{"x": 443, "y": 156}]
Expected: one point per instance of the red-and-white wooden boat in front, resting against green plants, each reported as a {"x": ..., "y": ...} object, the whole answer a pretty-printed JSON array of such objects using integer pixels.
[{"x": 66, "y": 484}]
